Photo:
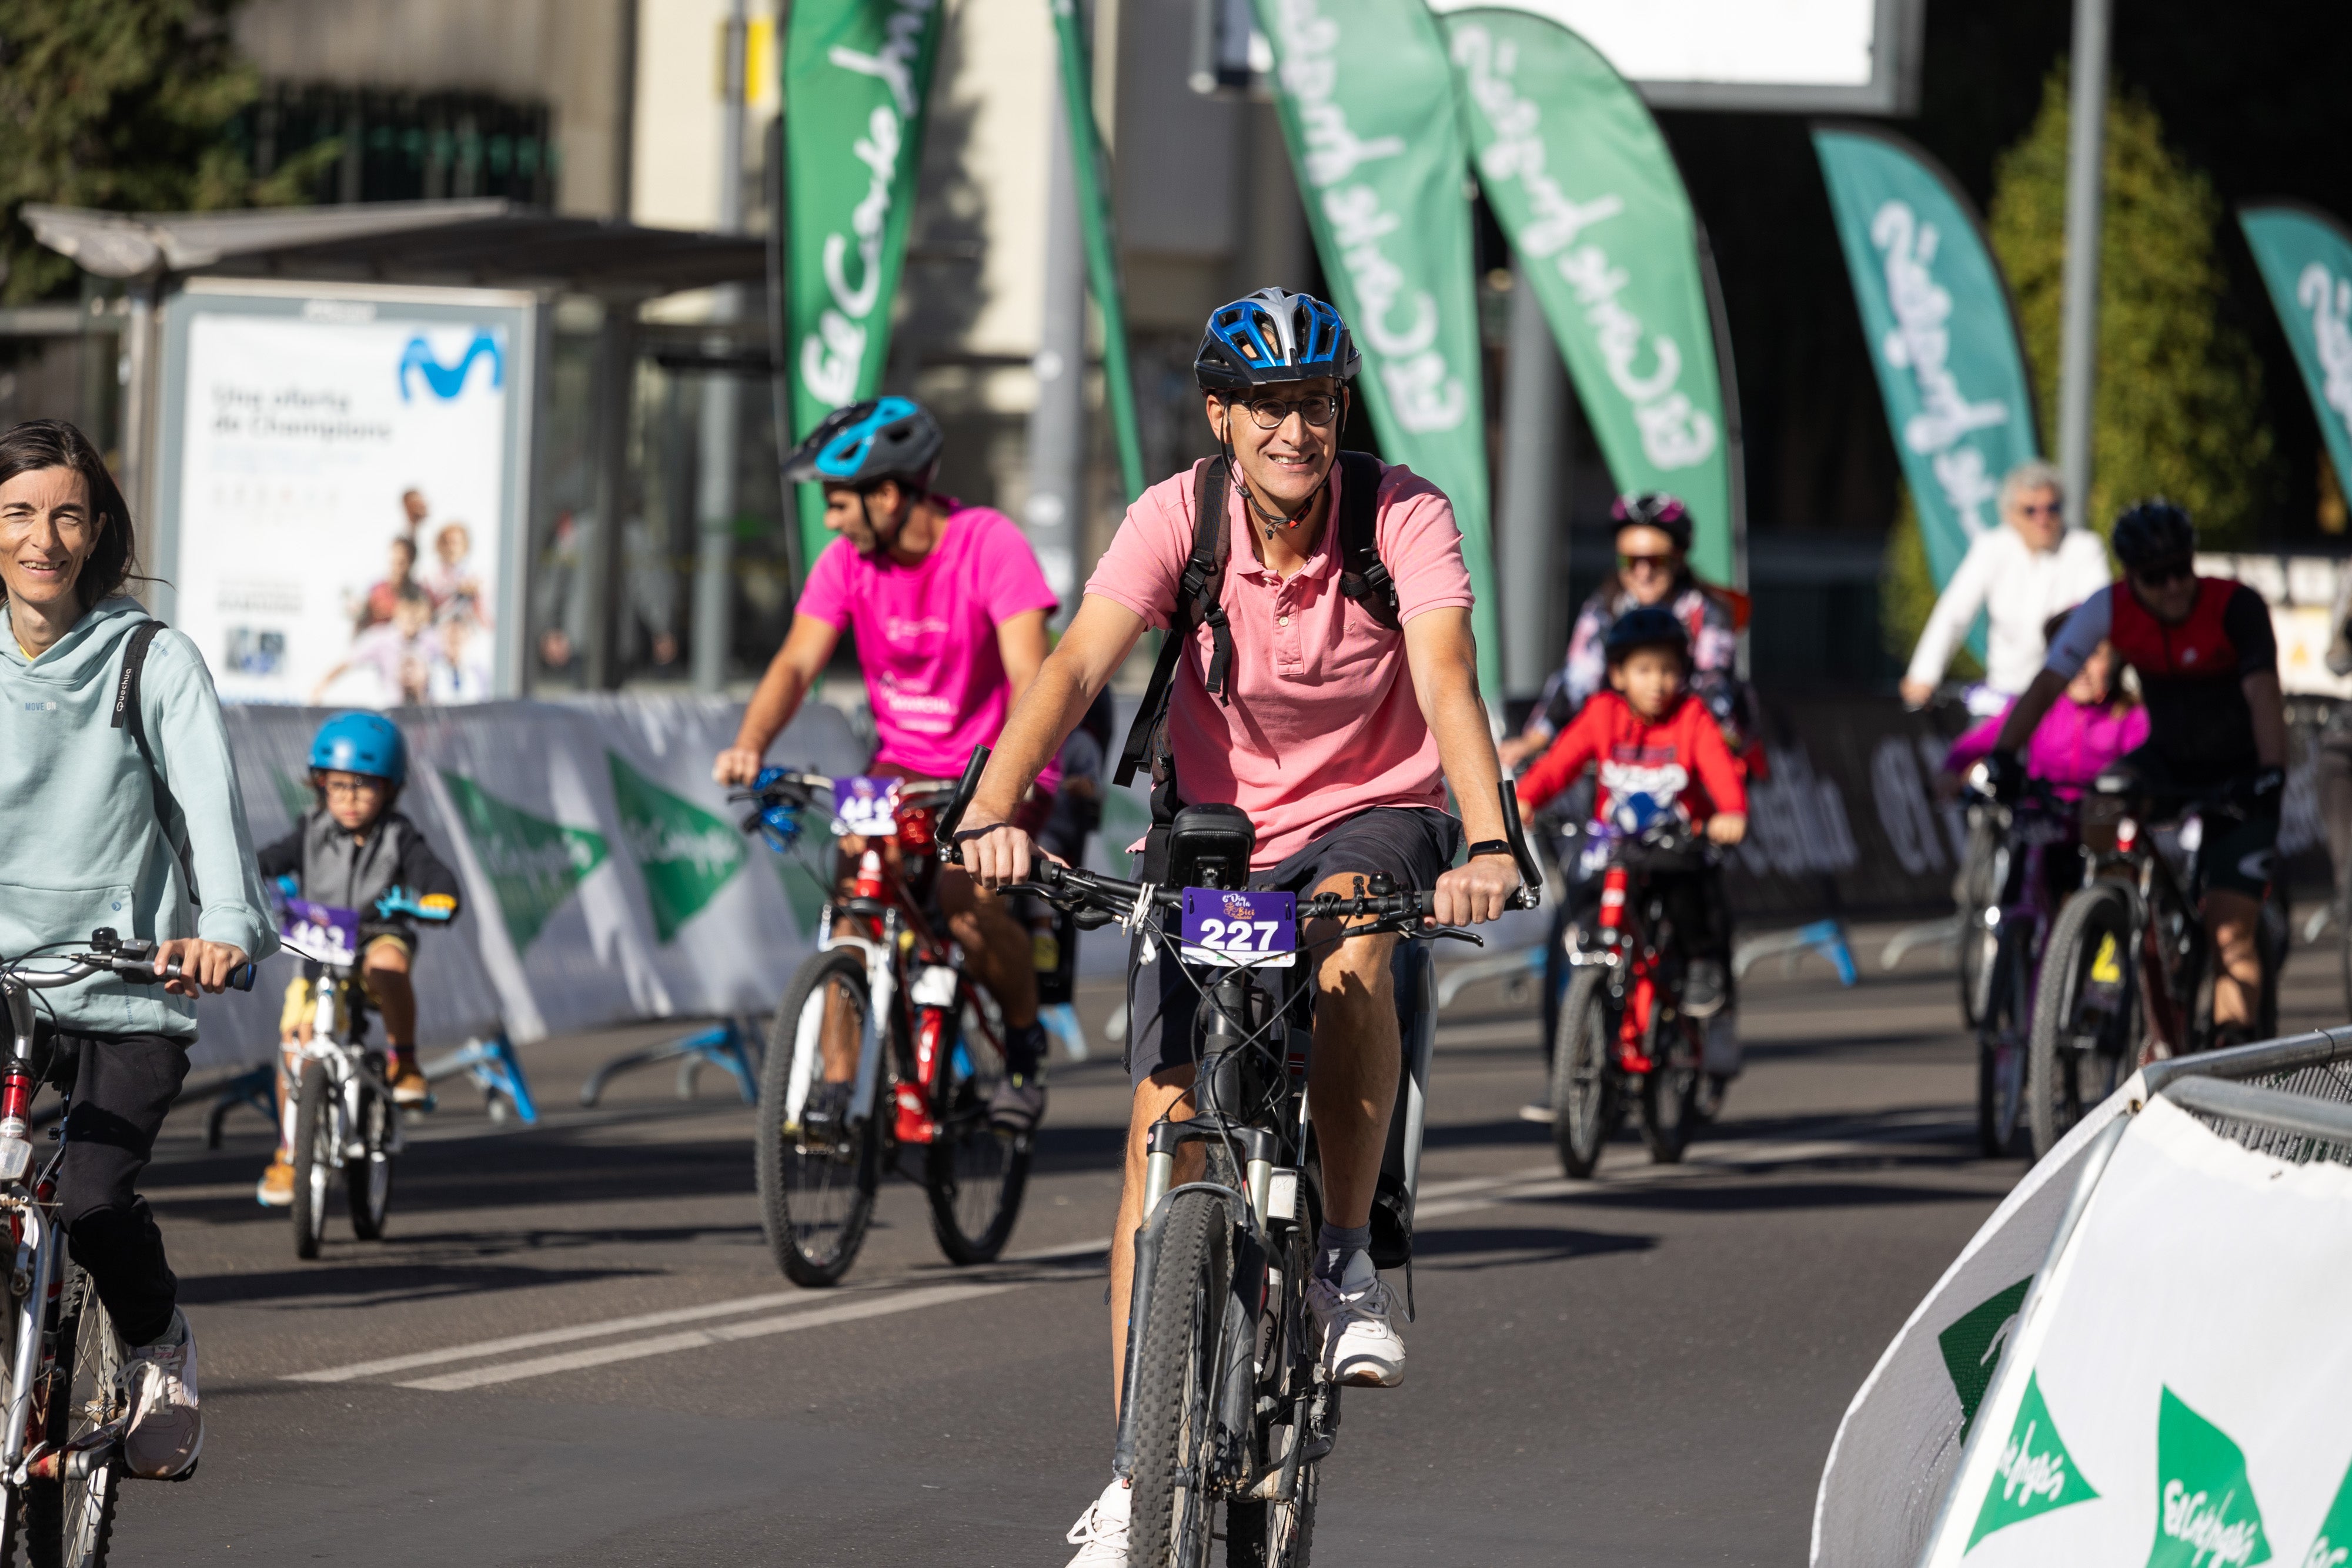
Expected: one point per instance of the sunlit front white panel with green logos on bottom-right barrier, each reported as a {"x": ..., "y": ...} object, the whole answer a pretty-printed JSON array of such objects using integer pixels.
[{"x": 2184, "y": 1381}]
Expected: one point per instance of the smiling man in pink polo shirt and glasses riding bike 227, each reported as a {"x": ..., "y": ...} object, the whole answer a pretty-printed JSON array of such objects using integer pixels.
[{"x": 1335, "y": 732}]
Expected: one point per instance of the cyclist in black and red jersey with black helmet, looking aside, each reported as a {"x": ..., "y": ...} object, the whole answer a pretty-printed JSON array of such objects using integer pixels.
[{"x": 2217, "y": 723}]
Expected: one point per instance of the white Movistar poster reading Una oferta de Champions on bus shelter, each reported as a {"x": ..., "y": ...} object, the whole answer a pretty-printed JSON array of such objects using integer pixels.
[{"x": 342, "y": 490}]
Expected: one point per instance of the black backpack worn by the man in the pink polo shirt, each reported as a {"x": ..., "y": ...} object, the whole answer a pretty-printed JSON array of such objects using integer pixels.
[{"x": 1201, "y": 603}]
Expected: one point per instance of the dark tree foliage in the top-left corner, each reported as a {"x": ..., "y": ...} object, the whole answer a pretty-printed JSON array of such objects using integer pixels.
[{"x": 121, "y": 105}]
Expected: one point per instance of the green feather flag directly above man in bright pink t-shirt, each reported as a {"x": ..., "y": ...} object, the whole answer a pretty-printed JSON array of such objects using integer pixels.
[{"x": 857, "y": 81}]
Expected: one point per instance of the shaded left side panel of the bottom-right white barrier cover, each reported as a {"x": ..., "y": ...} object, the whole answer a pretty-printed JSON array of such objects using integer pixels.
[{"x": 1902, "y": 1438}]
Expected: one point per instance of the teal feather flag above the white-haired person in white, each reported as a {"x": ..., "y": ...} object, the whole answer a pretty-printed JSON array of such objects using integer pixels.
[{"x": 1939, "y": 328}]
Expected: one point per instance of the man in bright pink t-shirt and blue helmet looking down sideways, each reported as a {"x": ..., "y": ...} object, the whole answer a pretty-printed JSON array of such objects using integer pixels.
[{"x": 949, "y": 608}]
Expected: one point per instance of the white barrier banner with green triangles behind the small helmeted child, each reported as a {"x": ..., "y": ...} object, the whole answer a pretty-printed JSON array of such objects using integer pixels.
[{"x": 606, "y": 876}]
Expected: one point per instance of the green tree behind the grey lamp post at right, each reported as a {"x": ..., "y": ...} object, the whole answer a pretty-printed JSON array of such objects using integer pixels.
[{"x": 2179, "y": 391}]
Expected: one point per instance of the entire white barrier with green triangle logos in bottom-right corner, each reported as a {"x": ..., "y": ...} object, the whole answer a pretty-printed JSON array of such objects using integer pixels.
[{"x": 2170, "y": 1388}]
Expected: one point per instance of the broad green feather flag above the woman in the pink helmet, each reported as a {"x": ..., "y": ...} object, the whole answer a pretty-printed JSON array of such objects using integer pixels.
[{"x": 1589, "y": 194}]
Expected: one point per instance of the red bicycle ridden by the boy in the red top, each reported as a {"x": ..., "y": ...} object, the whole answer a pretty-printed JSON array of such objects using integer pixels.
[{"x": 1624, "y": 1038}]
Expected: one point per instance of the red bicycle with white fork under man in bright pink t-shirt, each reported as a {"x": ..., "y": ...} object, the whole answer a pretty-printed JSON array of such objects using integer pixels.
[{"x": 881, "y": 1047}]
